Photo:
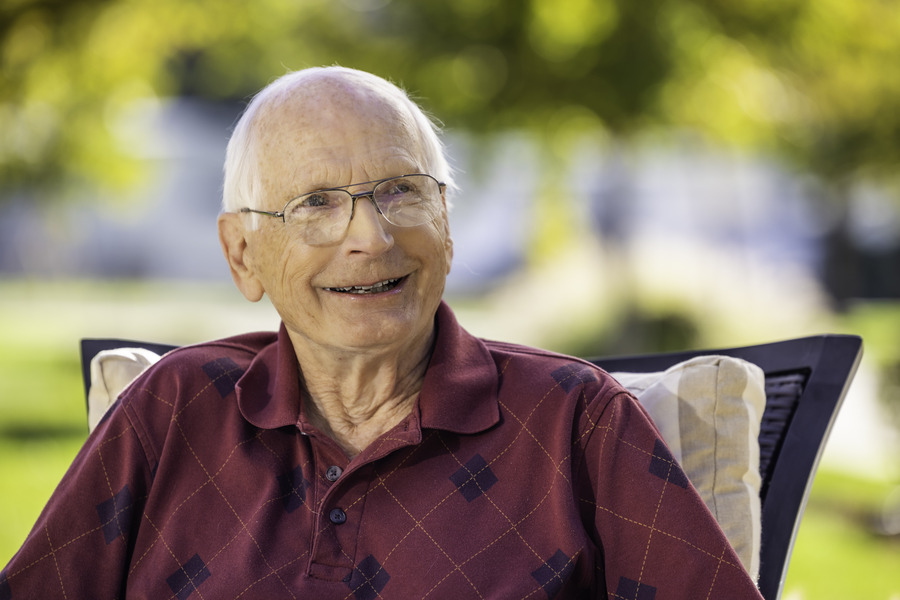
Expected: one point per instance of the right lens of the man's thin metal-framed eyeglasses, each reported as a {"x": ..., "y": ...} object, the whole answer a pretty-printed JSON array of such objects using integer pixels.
[{"x": 408, "y": 201}]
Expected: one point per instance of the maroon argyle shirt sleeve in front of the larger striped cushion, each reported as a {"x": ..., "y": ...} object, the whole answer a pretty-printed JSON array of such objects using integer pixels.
[{"x": 657, "y": 537}]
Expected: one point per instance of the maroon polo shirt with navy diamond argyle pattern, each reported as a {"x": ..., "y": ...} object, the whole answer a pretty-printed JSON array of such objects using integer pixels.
[{"x": 520, "y": 474}]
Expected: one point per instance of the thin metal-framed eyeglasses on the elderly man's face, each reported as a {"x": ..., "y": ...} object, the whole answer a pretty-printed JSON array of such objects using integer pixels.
[{"x": 322, "y": 217}]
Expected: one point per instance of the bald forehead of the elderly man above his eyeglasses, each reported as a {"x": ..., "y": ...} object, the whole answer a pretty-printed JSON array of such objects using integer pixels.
[{"x": 332, "y": 132}]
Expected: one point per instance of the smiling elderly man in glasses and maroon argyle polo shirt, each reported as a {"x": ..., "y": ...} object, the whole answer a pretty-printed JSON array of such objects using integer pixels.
[{"x": 371, "y": 448}]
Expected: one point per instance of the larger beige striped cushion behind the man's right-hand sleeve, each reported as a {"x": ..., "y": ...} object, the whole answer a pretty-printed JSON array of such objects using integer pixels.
[{"x": 708, "y": 410}]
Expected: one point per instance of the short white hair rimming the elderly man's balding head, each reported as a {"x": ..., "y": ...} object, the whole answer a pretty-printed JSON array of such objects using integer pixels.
[{"x": 241, "y": 184}]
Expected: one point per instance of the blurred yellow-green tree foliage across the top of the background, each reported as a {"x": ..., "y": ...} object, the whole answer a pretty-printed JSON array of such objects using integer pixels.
[{"x": 812, "y": 80}]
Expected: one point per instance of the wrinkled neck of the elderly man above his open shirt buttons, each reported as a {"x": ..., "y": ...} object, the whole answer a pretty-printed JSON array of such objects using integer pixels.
[{"x": 355, "y": 397}]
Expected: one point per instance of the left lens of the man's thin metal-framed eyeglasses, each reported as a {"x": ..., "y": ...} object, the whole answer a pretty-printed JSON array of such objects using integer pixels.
[{"x": 321, "y": 217}]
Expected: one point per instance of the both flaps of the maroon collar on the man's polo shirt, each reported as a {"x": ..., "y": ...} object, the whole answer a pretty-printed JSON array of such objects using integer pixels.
[{"x": 459, "y": 393}]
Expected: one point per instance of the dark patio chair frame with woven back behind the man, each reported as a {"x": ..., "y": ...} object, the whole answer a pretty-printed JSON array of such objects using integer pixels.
[{"x": 806, "y": 380}]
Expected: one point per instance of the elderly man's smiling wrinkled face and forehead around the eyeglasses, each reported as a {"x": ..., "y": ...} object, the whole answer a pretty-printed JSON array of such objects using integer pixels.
[{"x": 333, "y": 140}]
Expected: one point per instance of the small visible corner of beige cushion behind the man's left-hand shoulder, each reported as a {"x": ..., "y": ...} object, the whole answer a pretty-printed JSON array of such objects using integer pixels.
[{"x": 111, "y": 372}]
